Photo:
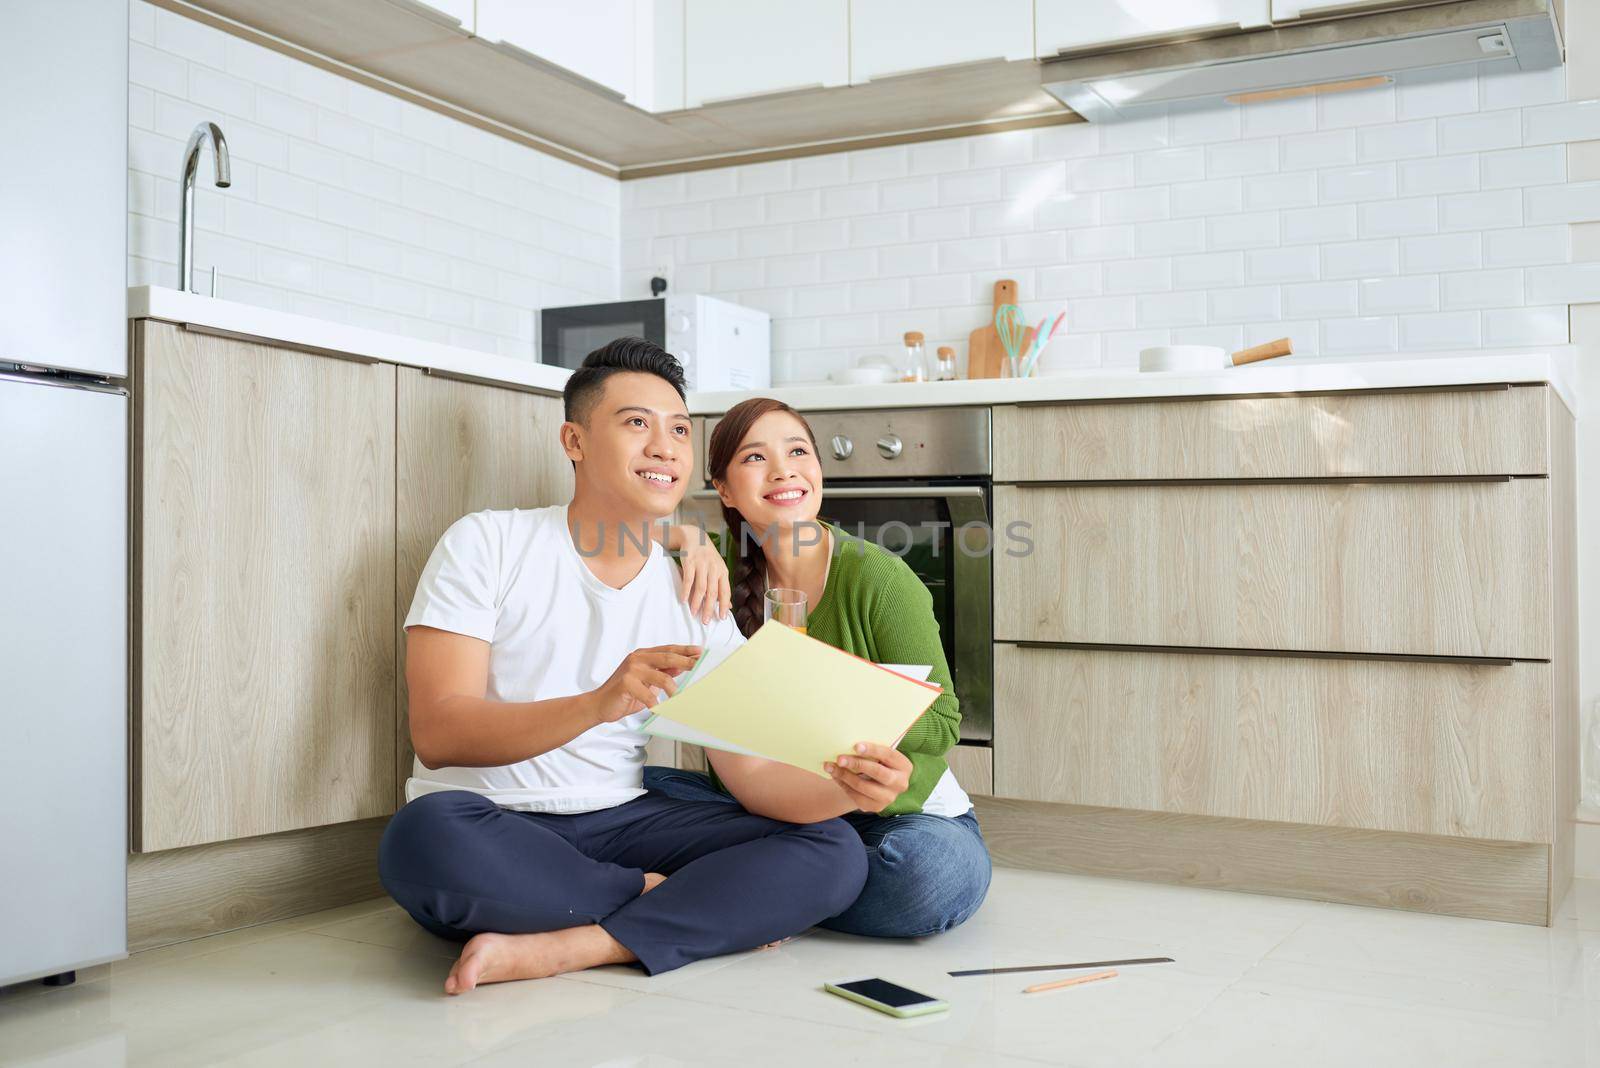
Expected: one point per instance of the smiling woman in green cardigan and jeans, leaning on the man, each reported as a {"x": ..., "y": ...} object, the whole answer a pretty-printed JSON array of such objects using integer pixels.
[{"x": 927, "y": 863}]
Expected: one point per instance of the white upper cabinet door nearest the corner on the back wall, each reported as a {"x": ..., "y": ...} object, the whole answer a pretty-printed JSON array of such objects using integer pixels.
[{"x": 753, "y": 47}]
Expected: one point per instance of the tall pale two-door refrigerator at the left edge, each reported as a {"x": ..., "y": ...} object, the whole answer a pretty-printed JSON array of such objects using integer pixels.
[{"x": 63, "y": 487}]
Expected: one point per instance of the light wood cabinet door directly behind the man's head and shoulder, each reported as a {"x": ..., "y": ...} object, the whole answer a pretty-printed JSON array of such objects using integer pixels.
[{"x": 463, "y": 447}]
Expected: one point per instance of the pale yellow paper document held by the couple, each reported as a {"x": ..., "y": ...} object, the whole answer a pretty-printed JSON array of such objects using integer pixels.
[{"x": 793, "y": 699}]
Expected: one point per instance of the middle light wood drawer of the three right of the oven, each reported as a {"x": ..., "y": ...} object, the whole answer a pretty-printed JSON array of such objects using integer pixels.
[{"x": 1382, "y": 568}]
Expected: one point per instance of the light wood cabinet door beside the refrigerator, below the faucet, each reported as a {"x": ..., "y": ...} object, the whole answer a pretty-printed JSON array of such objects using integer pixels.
[{"x": 265, "y": 589}]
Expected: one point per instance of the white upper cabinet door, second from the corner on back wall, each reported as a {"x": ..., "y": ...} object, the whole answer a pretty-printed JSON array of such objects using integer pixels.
[{"x": 890, "y": 38}]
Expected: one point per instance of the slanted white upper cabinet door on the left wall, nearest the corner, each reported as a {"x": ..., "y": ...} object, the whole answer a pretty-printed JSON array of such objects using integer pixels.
[{"x": 594, "y": 39}]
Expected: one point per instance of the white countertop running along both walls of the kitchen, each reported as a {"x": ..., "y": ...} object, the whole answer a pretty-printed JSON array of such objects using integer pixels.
[{"x": 1294, "y": 375}]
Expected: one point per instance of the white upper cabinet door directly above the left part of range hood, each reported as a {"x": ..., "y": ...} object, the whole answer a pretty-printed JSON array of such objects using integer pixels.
[{"x": 1073, "y": 25}]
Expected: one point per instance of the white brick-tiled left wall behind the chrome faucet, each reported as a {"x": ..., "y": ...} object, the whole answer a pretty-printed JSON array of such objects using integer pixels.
[{"x": 353, "y": 205}]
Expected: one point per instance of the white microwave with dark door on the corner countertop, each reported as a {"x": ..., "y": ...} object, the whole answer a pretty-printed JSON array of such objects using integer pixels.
[{"x": 722, "y": 346}]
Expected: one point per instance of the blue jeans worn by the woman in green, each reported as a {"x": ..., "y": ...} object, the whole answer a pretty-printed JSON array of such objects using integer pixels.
[{"x": 926, "y": 874}]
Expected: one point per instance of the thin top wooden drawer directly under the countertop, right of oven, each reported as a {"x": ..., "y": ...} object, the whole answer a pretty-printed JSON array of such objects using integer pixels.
[{"x": 1473, "y": 432}]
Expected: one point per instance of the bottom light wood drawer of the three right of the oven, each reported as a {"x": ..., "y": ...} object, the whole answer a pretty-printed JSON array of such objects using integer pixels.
[{"x": 1438, "y": 749}]
